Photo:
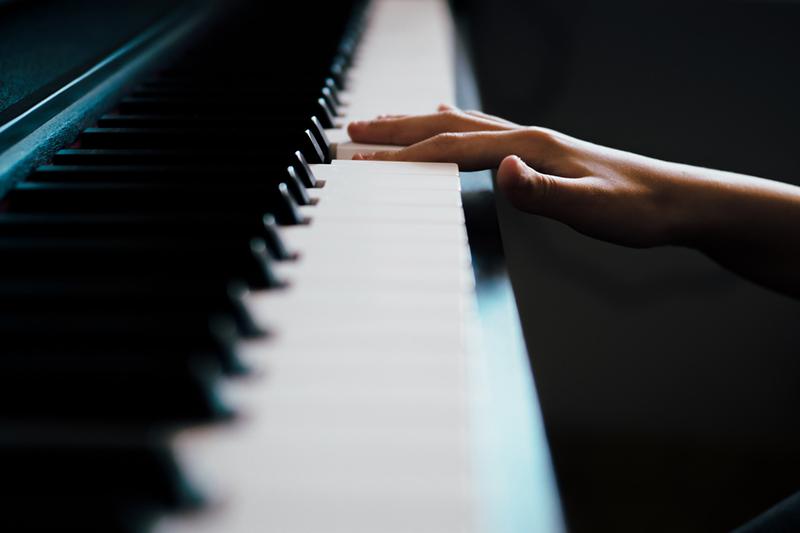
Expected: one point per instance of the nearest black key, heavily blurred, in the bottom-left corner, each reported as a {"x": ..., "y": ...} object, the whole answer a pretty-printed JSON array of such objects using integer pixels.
[{"x": 102, "y": 482}]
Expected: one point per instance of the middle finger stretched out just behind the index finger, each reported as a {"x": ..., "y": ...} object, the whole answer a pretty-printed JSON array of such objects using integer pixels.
[{"x": 410, "y": 129}]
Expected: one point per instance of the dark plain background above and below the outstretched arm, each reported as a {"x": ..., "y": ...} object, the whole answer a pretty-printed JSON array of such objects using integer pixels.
[{"x": 669, "y": 386}]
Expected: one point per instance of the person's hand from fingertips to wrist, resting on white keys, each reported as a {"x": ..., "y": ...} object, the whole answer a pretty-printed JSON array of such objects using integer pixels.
[{"x": 601, "y": 192}]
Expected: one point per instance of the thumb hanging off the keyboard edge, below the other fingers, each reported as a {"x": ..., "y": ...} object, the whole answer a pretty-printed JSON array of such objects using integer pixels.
[{"x": 532, "y": 191}]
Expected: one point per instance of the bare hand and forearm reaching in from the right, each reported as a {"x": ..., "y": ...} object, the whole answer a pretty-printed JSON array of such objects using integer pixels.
[{"x": 750, "y": 225}]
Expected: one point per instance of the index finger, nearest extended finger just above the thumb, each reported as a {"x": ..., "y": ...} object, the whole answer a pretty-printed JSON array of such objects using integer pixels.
[{"x": 470, "y": 150}]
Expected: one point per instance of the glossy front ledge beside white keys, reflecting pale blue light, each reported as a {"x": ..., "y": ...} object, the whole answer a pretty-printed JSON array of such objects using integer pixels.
[{"x": 519, "y": 488}]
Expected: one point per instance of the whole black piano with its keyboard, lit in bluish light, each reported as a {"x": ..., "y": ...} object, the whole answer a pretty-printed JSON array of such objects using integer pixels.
[{"x": 214, "y": 320}]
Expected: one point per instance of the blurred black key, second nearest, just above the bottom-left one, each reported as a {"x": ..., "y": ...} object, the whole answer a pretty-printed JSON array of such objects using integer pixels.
[{"x": 105, "y": 389}]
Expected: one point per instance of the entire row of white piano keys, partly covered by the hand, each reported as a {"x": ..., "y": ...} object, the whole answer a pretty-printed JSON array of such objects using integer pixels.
[{"x": 355, "y": 418}]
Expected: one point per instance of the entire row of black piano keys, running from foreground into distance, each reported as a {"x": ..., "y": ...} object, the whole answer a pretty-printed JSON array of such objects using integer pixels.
[{"x": 124, "y": 263}]
